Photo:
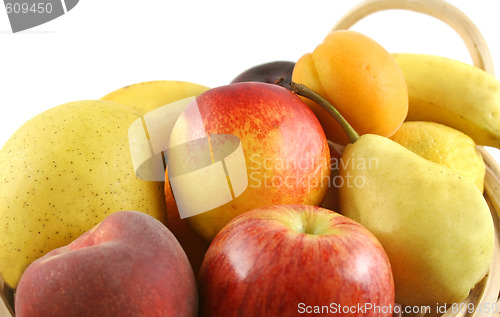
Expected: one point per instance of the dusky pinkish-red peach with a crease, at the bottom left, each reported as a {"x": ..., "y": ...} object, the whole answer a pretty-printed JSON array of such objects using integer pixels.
[{"x": 130, "y": 264}]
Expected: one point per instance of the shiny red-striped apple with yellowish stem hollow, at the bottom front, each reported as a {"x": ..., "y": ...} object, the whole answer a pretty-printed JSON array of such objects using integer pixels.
[{"x": 295, "y": 260}]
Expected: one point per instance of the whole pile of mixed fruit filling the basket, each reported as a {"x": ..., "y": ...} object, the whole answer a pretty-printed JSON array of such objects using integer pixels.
[{"x": 362, "y": 192}]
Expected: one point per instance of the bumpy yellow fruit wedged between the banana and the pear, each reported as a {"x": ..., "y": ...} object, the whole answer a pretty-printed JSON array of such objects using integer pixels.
[{"x": 444, "y": 145}]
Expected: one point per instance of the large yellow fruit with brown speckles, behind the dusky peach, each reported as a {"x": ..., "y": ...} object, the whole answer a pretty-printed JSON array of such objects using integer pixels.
[{"x": 61, "y": 173}]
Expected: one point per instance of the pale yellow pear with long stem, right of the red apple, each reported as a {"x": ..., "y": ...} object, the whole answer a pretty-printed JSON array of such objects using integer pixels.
[{"x": 433, "y": 223}]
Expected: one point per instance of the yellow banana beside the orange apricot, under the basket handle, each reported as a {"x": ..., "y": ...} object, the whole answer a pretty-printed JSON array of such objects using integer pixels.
[{"x": 453, "y": 93}]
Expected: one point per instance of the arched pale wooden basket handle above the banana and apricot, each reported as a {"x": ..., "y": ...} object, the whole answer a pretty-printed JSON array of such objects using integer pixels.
[{"x": 456, "y": 19}]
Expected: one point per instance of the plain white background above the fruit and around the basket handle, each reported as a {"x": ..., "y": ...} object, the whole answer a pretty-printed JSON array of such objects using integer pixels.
[{"x": 102, "y": 45}]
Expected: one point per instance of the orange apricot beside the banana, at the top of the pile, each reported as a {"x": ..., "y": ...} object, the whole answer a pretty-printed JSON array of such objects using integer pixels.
[{"x": 358, "y": 77}]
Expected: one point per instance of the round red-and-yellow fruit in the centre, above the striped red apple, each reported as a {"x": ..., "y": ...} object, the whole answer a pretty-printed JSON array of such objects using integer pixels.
[{"x": 278, "y": 154}]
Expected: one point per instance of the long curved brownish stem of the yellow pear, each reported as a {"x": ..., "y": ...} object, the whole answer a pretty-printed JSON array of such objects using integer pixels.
[{"x": 307, "y": 92}]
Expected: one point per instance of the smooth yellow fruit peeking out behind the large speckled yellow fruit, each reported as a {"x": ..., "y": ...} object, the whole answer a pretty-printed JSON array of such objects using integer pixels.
[{"x": 149, "y": 95}]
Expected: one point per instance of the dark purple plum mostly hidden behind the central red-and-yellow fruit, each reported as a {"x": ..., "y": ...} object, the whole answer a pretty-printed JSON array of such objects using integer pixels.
[{"x": 279, "y": 72}]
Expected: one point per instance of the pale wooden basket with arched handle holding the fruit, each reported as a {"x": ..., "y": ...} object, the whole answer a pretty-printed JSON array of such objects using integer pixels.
[{"x": 484, "y": 298}]
